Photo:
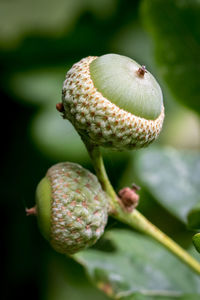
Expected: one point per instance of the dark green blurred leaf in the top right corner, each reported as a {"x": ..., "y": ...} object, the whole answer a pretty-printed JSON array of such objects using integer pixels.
[{"x": 174, "y": 26}]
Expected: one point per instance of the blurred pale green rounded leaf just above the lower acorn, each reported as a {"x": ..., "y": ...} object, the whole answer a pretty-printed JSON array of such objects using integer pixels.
[{"x": 57, "y": 138}]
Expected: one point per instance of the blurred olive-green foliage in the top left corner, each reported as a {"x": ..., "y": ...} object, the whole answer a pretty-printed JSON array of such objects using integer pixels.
[{"x": 45, "y": 17}]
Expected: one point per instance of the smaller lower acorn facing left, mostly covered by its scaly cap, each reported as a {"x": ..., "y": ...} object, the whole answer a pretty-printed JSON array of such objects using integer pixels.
[{"x": 71, "y": 207}]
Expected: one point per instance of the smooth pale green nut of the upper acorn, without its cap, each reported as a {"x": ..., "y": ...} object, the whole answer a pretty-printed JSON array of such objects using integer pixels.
[{"x": 116, "y": 77}]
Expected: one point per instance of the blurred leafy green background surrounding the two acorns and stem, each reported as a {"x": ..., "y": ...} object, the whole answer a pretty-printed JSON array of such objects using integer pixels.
[{"x": 39, "y": 41}]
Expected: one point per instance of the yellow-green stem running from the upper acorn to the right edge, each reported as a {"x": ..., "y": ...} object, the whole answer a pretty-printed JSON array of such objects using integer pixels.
[{"x": 135, "y": 219}]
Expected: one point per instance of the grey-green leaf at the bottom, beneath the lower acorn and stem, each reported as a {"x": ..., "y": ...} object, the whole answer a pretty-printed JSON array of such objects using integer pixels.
[{"x": 137, "y": 265}]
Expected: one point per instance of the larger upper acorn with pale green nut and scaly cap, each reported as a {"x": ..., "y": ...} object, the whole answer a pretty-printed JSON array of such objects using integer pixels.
[{"x": 113, "y": 101}]
